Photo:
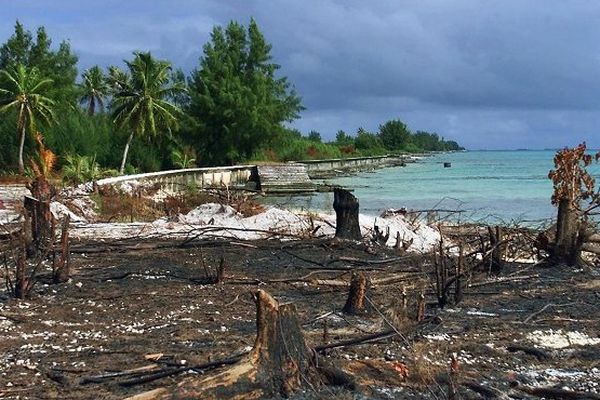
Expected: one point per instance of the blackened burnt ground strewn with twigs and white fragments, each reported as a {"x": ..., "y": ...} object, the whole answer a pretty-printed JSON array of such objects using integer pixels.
[{"x": 125, "y": 308}]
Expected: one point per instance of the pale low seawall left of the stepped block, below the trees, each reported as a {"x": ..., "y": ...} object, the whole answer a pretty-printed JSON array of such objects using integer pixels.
[{"x": 176, "y": 180}]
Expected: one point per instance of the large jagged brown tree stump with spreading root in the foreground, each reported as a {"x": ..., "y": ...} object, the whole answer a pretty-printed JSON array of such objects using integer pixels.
[{"x": 278, "y": 364}]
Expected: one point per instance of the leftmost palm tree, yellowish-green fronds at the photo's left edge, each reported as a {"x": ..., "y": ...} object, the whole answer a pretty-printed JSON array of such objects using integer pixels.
[{"x": 22, "y": 91}]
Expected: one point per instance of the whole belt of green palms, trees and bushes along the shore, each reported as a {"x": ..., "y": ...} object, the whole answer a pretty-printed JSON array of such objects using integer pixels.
[{"x": 233, "y": 108}]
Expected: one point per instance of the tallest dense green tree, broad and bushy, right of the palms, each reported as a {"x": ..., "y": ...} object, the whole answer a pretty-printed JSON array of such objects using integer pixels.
[{"x": 237, "y": 103}]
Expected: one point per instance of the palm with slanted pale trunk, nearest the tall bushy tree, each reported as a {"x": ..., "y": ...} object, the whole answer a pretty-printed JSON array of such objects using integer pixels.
[{"x": 141, "y": 103}]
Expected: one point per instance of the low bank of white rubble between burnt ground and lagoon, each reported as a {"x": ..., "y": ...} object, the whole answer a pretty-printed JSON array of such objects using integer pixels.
[{"x": 216, "y": 220}]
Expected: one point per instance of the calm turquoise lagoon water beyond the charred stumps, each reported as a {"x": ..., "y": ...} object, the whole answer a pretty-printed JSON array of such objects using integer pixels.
[{"x": 491, "y": 186}]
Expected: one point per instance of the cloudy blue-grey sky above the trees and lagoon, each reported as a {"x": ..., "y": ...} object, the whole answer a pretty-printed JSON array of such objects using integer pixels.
[{"x": 493, "y": 74}]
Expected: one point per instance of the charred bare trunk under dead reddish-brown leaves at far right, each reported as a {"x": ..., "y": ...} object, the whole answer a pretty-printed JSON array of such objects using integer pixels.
[{"x": 566, "y": 249}]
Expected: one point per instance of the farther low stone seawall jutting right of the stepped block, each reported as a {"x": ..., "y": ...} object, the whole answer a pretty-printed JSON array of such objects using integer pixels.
[{"x": 326, "y": 168}]
